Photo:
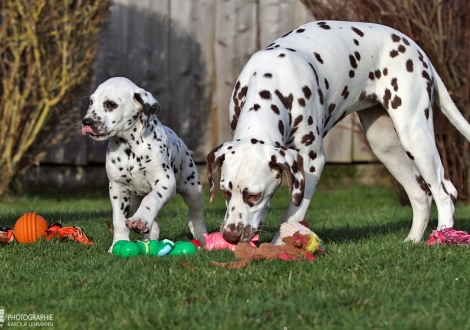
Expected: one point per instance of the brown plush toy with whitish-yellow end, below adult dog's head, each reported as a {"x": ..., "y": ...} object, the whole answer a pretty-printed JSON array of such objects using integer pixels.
[{"x": 299, "y": 244}]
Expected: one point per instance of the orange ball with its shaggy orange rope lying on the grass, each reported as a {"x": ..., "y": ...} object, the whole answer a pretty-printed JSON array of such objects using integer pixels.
[{"x": 30, "y": 227}]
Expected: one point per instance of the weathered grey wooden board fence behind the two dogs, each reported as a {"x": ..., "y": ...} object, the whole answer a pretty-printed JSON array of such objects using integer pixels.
[{"x": 188, "y": 54}]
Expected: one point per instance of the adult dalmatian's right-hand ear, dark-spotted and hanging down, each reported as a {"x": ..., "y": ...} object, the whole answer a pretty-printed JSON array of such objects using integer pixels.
[{"x": 292, "y": 164}]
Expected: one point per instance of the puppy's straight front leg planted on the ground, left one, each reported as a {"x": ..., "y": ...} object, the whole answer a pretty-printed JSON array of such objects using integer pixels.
[{"x": 120, "y": 201}]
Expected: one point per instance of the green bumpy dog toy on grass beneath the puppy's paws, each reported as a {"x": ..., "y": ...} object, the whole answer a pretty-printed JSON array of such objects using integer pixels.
[{"x": 127, "y": 249}]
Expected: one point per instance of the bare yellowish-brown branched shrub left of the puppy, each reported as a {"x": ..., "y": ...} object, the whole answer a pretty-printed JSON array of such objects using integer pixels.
[{"x": 47, "y": 48}]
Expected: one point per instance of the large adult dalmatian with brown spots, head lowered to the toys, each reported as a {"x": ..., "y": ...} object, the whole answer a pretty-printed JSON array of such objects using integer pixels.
[{"x": 289, "y": 95}]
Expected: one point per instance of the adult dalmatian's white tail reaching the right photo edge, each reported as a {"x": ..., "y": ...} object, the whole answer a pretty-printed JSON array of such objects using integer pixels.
[{"x": 448, "y": 107}]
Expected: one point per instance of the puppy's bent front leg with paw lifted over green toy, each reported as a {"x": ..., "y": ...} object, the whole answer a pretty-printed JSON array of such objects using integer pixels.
[{"x": 143, "y": 218}]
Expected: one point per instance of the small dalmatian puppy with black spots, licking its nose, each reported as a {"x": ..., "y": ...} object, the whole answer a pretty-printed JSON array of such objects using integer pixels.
[{"x": 146, "y": 162}]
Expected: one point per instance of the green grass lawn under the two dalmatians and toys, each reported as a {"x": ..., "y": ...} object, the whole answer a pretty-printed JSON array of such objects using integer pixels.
[{"x": 369, "y": 279}]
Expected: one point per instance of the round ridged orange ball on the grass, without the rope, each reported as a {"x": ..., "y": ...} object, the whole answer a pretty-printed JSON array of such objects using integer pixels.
[{"x": 30, "y": 227}]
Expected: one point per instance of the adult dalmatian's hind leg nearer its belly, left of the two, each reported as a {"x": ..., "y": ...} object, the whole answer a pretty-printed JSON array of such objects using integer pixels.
[{"x": 386, "y": 146}]
